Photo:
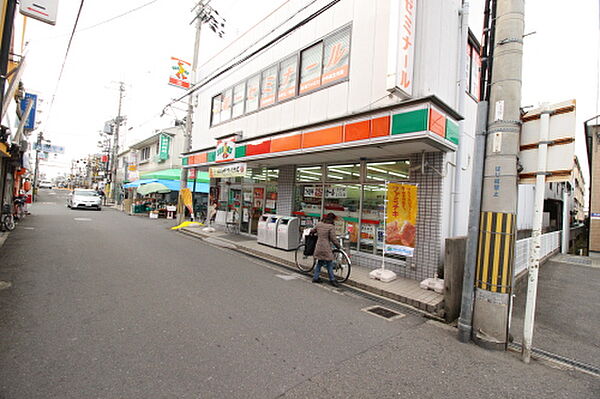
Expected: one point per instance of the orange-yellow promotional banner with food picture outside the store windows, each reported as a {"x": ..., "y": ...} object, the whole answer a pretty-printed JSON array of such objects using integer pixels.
[{"x": 401, "y": 219}]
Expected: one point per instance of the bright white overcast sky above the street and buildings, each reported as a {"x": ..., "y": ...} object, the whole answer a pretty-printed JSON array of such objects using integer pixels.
[{"x": 560, "y": 62}]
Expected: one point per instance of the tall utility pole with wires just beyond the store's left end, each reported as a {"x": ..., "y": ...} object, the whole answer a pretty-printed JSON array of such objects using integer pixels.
[{"x": 204, "y": 14}]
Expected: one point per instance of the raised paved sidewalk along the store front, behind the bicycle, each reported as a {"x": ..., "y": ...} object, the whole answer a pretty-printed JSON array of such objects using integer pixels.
[{"x": 400, "y": 290}]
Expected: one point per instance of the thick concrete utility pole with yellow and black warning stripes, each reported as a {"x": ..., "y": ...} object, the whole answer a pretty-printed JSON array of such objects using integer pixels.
[{"x": 495, "y": 258}]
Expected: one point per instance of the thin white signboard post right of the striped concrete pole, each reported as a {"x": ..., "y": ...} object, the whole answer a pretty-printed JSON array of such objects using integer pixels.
[{"x": 536, "y": 236}]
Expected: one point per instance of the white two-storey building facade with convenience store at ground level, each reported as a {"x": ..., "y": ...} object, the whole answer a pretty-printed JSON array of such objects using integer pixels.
[{"x": 320, "y": 121}]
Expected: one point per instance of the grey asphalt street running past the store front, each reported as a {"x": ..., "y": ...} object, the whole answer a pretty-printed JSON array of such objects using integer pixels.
[{"x": 104, "y": 305}]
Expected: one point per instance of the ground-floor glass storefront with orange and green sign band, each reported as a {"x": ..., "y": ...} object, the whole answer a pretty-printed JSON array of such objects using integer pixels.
[{"x": 340, "y": 166}]
